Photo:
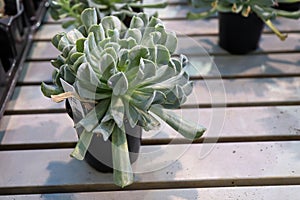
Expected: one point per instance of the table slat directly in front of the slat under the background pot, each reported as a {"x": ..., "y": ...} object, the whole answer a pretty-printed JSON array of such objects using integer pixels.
[{"x": 226, "y": 66}]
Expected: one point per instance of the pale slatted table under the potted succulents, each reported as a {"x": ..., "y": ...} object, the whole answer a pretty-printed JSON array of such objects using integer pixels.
[{"x": 250, "y": 151}]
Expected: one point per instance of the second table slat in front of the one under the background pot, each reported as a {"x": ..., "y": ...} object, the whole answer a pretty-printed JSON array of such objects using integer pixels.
[{"x": 205, "y": 93}]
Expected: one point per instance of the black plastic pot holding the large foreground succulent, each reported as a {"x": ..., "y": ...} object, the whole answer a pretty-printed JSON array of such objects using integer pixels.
[{"x": 99, "y": 154}]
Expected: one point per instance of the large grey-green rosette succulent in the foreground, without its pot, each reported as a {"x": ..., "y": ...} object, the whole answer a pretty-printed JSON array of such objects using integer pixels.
[{"x": 128, "y": 74}]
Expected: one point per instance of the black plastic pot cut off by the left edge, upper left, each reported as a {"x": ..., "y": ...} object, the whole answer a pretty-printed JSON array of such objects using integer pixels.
[{"x": 14, "y": 34}]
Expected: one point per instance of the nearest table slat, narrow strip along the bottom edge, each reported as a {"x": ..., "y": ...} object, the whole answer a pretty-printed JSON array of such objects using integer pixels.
[{"x": 245, "y": 193}]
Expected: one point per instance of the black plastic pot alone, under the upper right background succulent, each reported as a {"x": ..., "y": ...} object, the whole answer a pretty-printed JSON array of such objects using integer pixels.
[{"x": 238, "y": 34}]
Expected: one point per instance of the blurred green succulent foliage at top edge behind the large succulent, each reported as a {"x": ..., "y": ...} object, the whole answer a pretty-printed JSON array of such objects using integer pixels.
[{"x": 71, "y": 9}]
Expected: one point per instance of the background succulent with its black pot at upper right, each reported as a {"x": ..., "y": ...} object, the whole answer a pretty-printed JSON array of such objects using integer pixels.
[{"x": 241, "y": 22}]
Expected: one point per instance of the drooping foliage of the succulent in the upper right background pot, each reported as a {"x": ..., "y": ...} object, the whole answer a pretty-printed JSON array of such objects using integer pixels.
[{"x": 264, "y": 9}]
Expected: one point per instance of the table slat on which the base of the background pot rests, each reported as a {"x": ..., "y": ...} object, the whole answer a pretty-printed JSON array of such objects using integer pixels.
[{"x": 44, "y": 50}]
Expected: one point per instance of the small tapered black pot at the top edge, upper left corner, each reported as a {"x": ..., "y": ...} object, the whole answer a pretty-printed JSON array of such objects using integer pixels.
[{"x": 35, "y": 11}]
